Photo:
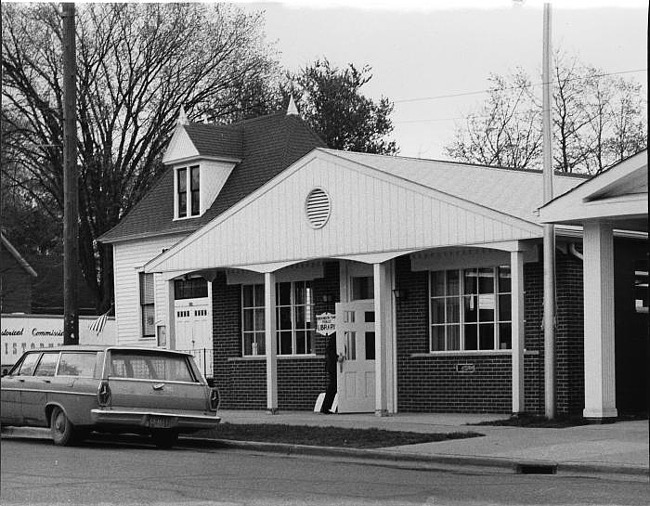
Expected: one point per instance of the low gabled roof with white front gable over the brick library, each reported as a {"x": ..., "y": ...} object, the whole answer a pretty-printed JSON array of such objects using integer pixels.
[{"x": 378, "y": 207}]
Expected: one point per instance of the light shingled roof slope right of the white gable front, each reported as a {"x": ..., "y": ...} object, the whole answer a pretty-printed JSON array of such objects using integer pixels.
[{"x": 515, "y": 192}]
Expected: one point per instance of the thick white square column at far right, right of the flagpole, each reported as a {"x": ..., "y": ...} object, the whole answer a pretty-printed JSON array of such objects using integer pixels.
[{"x": 600, "y": 371}]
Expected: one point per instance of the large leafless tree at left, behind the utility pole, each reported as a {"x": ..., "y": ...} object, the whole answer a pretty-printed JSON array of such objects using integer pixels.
[{"x": 137, "y": 64}]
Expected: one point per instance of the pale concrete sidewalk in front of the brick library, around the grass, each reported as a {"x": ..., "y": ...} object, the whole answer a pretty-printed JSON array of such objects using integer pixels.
[{"x": 619, "y": 449}]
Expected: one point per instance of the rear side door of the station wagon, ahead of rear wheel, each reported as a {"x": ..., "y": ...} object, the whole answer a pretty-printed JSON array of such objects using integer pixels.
[{"x": 36, "y": 389}]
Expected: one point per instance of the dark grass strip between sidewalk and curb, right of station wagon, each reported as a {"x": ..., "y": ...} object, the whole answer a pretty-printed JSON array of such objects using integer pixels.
[{"x": 326, "y": 436}]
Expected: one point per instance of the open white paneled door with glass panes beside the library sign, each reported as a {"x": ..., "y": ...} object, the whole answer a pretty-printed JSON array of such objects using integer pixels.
[{"x": 355, "y": 344}]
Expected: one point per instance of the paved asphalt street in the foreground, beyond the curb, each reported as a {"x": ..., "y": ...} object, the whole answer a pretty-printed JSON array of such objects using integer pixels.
[{"x": 134, "y": 472}]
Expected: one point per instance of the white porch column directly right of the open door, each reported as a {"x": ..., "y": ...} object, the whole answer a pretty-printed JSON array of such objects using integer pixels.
[{"x": 384, "y": 402}]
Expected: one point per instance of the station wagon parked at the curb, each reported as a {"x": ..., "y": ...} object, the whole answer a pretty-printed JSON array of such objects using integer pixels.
[{"x": 74, "y": 390}]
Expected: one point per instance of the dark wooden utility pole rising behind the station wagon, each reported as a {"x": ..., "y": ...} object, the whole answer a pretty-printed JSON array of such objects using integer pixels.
[{"x": 70, "y": 183}]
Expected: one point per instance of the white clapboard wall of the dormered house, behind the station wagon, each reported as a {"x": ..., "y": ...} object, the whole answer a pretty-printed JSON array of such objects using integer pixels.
[{"x": 128, "y": 259}]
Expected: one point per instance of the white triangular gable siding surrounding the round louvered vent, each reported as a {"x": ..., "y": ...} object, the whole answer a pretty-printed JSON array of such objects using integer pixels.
[{"x": 371, "y": 212}]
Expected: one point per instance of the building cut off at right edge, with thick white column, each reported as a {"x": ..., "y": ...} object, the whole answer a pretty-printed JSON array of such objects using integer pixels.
[{"x": 616, "y": 337}]
